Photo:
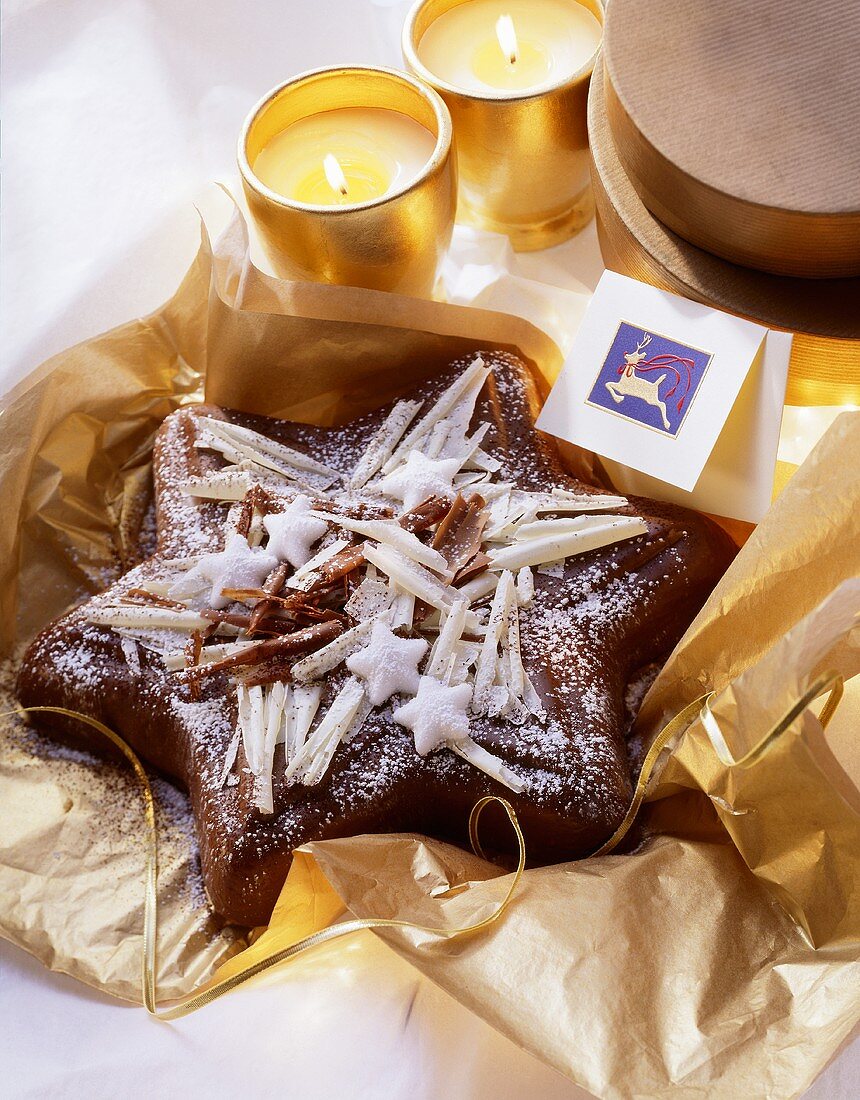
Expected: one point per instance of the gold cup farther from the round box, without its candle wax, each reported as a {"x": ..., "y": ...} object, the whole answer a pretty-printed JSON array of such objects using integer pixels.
[{"x": 393, "y": 243}]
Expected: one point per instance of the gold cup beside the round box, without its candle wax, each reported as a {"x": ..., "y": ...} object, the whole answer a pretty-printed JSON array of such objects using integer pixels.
[{"x": 523, "y": 158}]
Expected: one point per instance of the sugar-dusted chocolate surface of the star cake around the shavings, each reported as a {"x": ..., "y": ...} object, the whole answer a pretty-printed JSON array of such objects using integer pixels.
[{"x": 581, "y": 636}]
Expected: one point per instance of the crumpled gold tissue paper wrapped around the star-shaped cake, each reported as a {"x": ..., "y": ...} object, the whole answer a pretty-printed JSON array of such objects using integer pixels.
[{"x": 686, "y": 967}]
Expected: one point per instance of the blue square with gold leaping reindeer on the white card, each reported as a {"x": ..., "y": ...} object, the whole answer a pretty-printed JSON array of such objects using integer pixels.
[{"x": 649, "y": 379}]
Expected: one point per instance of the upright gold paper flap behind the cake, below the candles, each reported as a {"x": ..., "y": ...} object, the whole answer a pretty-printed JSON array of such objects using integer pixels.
[{"x": 326, "y": 355}]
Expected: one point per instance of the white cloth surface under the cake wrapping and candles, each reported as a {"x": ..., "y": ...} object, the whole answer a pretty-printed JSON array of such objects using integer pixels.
[{"x": 117, "y": 114}]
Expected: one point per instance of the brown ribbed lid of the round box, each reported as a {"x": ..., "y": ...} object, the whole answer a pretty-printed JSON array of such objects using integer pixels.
[{"x": 738, "y": 124}]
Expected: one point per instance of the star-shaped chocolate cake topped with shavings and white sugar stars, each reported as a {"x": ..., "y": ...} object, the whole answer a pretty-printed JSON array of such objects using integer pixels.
[{"x": 368, "y": 629}]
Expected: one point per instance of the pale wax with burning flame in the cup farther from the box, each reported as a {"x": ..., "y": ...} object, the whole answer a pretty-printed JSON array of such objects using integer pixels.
[{"x": 345, "y": 157}]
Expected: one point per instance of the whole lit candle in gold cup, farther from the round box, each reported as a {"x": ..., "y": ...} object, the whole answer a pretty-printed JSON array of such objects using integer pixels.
[{"x": 350, "y": 179}]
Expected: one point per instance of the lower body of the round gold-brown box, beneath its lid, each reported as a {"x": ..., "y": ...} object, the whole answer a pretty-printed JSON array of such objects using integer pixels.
[{"x": 822, "y": 314}]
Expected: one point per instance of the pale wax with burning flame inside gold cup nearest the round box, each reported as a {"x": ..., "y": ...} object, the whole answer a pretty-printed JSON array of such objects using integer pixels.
[{"x": 510, "y": 46}]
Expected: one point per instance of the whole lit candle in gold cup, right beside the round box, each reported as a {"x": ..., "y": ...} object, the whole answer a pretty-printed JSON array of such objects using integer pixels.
[{"x": 515, "y": 75}]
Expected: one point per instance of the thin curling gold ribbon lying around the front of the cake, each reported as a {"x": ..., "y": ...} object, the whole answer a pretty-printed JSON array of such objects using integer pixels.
[{"x": 667, "y": 740}]
